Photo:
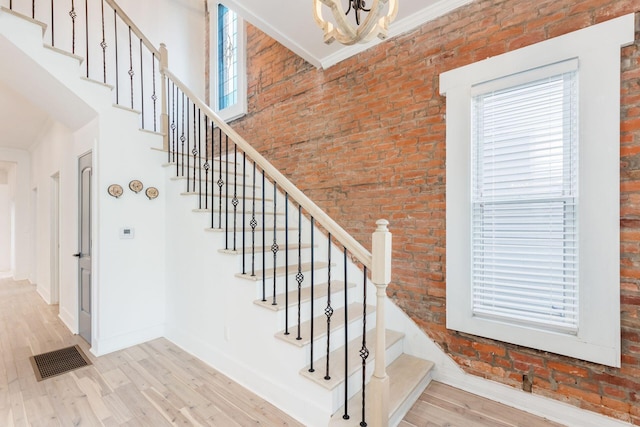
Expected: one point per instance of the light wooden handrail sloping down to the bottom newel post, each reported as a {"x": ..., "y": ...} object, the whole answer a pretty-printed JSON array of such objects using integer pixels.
[{"x": 352, "y": 245}]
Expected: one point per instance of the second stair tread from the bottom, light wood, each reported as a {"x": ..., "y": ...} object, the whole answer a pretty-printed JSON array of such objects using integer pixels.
[{"x": 336, "y": 359}]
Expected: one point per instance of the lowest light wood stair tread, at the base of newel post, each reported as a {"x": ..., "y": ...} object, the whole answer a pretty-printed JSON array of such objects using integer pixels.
[{"x": 408, "y": 377}]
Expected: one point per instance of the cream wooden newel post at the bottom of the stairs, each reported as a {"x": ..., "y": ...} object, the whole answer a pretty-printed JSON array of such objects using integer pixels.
[{"x": 381, "y": 277}]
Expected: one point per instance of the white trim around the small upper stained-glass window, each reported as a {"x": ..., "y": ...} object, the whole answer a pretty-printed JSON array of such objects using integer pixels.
[{"x": 240, "y": 108}]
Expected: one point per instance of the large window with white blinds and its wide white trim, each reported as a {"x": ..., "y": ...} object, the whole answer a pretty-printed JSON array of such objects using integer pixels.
[{"x": 533, "y": 194}]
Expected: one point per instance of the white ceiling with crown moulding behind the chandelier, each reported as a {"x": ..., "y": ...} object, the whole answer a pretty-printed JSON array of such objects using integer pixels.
[{"x": 291, "y": 23}]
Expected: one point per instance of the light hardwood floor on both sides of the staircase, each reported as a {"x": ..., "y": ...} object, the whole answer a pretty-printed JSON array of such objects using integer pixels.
[{"x": 157, "y": 384}]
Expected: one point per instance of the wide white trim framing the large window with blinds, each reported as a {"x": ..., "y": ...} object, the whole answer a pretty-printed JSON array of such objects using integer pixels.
[{"x": 597, "y": 49}]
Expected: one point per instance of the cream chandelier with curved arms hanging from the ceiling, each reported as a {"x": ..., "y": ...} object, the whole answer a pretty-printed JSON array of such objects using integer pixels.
[{"x": 379, "y": 13}]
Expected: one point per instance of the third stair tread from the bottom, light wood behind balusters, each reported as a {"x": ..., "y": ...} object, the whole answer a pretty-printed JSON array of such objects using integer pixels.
[{"x": 320, "y": 325}]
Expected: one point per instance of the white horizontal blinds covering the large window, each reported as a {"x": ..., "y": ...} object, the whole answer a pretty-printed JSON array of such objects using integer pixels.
[{"x": 524, "y": 203}]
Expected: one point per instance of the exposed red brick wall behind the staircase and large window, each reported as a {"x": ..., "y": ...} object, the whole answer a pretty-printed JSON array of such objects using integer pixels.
[{"x": 365, "y": 139}]
